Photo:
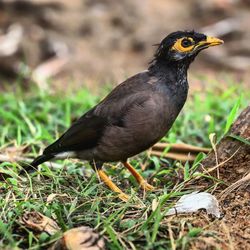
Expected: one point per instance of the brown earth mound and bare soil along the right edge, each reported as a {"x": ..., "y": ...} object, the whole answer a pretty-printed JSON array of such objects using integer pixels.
[{"x": 232, "y": 231}]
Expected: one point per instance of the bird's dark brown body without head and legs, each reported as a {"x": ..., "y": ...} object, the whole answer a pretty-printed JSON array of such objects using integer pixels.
[{"x": 133, "y": 117}]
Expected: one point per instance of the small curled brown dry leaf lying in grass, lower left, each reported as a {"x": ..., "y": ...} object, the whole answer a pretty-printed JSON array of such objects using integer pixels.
[{"x": 39, "y": 222}]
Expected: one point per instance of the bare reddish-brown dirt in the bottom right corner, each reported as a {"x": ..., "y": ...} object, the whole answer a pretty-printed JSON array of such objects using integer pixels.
[{"x": 232, "y": 231}]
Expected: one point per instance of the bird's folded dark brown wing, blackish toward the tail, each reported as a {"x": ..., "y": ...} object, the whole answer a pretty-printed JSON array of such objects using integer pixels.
[{"x": 87, "y": 130}]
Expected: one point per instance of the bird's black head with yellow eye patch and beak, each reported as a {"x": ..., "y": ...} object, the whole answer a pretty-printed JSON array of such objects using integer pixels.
[{"x": 184, "y": 46}]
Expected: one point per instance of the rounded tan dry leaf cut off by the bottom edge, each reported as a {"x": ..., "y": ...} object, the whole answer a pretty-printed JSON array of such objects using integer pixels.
[{"x": 81, "y": 238}]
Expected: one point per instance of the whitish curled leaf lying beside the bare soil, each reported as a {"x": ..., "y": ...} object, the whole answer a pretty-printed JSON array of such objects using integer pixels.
[{"x": 193, "y": 202}]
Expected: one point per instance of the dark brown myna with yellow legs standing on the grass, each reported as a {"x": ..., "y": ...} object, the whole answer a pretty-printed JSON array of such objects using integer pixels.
[{"x": 136, "y": 114}]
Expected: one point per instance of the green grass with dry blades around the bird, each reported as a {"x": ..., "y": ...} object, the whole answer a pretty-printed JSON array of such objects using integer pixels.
[{"x": 34, "y": 119}]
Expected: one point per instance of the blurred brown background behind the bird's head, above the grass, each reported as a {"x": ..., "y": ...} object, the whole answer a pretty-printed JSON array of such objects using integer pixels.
[{"x": 80, "y": 43}]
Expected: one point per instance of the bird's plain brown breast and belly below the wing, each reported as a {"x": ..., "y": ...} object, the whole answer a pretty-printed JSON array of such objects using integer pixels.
[{"x": 143, "y": 126}]
